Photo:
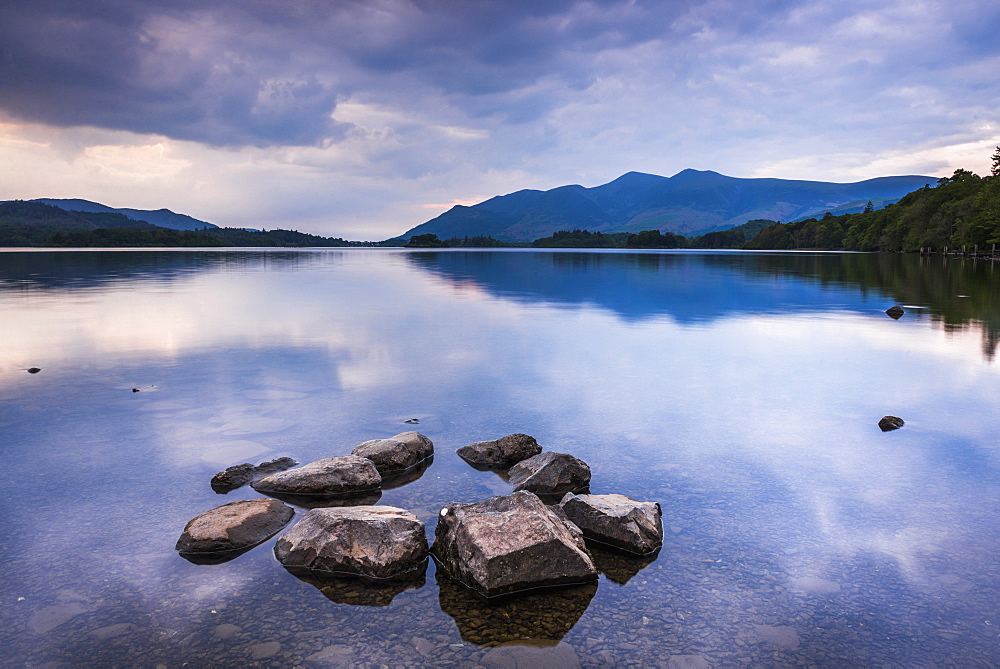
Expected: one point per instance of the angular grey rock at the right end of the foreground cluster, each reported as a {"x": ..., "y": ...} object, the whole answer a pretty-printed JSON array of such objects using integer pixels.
[{"x": 616, "y": 520}]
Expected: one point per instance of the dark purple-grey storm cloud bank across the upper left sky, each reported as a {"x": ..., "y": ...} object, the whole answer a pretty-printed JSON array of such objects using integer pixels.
[{"x": 260, "y": 73}]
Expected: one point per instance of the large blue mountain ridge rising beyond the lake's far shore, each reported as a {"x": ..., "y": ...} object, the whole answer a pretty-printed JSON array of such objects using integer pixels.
[{"x": 691, "y": 202}]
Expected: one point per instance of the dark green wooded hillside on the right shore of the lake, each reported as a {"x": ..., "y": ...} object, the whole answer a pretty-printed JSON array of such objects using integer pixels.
[{"x": 964, "y": 210}]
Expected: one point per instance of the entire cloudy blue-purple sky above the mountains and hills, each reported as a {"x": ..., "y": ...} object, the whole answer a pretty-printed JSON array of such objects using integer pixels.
[{"x": 363, "y": 118}]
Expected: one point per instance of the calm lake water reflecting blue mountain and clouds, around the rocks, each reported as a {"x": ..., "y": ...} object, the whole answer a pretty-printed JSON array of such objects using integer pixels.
[{"x": 741, "y": 391}]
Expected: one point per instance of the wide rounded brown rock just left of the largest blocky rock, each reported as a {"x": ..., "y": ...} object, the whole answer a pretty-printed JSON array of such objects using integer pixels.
[{"x": 372, "y": 541}]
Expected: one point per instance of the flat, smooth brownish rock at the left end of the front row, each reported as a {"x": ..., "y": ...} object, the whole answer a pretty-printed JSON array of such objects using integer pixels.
[{"x": 234, "y": 527}]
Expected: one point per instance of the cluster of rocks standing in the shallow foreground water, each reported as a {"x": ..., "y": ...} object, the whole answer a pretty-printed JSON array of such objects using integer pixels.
[{"x": 502, "y": 545}]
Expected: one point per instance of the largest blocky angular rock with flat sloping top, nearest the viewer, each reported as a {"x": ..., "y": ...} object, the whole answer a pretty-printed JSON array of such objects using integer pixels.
[{"x": 508, "y": 544}]
